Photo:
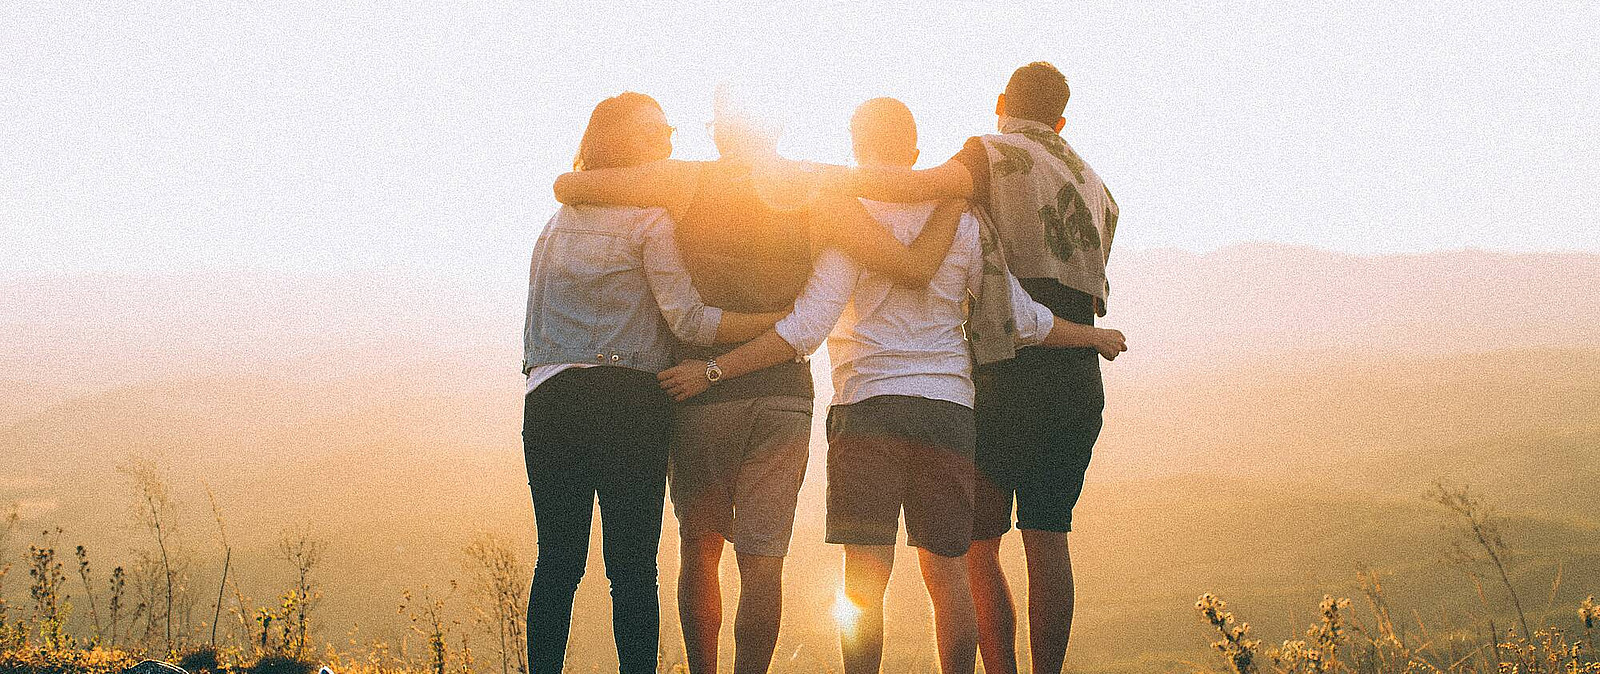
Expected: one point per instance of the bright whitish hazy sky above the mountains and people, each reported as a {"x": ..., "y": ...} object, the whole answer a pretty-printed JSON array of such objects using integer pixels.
[{"x": 332, "y": 137}]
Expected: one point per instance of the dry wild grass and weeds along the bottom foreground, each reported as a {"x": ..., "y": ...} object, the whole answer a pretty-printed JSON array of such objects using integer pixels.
[{"x": 479, "y": 627}]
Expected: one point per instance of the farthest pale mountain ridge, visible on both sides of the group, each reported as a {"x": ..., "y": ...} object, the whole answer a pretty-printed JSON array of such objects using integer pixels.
[{"x": 1180, "y": 311}]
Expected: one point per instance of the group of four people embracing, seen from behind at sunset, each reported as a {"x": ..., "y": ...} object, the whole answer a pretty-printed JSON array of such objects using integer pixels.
[{"x": 671, "y": 310}]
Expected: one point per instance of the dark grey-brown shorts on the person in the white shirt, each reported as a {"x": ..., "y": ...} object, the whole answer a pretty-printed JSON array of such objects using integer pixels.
[{"x": 894, "y": 452}]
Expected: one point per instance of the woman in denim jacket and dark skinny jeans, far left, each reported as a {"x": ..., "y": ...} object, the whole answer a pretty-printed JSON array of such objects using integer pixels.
[{"x": 607, "y": 297}]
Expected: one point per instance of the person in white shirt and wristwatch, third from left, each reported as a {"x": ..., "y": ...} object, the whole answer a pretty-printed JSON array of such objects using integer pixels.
[{"x": 902, "y": 430}]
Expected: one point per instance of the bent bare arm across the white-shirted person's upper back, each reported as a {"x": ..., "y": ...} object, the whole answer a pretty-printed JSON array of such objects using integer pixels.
[{"x": 842, "y": 223}]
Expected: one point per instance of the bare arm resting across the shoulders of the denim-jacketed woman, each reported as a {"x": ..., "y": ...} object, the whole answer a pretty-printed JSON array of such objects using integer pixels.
[{"x": 666, "y": 183}]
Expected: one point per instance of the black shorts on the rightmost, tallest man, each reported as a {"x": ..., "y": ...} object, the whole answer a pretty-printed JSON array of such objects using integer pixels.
[{"x": 1038, "y": 420}]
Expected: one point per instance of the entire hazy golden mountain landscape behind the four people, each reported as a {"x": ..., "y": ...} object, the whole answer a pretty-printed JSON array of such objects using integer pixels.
[{"x": 1276, "y": 422}]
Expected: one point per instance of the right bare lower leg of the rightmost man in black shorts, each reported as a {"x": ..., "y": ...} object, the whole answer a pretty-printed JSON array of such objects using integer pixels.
[{"x": 1049, "y": 598}]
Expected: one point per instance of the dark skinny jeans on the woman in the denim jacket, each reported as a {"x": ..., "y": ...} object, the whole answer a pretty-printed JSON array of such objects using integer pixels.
[{"x": 586, "y": 433}]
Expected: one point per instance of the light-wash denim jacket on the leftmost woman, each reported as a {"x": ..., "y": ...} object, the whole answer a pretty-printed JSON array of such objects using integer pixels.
[{"x": 607, "y": 287}]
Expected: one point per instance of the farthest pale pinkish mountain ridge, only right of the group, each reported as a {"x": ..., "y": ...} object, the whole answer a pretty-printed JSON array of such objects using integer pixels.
[{"x": 1190, "y": 310}]
